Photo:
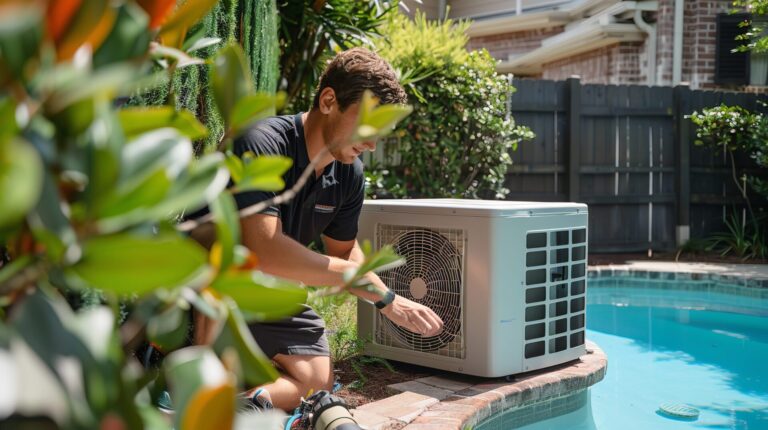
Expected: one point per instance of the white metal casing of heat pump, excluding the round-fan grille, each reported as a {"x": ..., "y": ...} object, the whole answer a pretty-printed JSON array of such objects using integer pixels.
[{"x": 518, "y": 313}]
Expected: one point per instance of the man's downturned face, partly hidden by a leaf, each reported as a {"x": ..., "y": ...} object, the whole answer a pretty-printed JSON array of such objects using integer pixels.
[{"x": 339, "y": 138}]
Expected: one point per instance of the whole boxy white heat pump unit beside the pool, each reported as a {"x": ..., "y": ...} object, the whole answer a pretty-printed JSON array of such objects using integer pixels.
[{"x": 508, "y": 280}]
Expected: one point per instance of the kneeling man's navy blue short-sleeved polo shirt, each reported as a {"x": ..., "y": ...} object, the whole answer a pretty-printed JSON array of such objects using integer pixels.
[{"x": 329, "y": 204}]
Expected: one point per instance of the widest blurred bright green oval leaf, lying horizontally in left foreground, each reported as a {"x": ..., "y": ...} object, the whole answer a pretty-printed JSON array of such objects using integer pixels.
[{"x": 126, "y": 264}]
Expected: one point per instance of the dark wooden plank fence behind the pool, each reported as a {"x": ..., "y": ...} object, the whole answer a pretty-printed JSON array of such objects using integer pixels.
[{"x": 629, "y": 153}]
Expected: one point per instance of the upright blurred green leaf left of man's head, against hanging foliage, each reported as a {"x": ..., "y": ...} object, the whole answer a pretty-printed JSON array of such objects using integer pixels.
[{"x": 230, "y": 80}]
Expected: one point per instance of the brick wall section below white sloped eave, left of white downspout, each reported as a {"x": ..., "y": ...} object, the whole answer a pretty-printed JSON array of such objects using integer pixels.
[{"x": 615, "y": 64}]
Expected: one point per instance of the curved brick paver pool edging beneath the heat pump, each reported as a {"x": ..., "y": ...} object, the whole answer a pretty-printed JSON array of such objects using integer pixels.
[{"x": 457, "y": 402}]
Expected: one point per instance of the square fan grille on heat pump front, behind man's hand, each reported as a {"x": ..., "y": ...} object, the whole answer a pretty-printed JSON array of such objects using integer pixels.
[{"x": 432, "y": 276}]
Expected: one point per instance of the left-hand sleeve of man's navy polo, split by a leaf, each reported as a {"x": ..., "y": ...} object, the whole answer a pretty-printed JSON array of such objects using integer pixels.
[{"x": 259, "y": 142}]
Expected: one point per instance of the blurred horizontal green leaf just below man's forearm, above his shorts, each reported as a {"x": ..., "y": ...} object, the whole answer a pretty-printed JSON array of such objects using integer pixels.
[{"x": 262, "y": 297}]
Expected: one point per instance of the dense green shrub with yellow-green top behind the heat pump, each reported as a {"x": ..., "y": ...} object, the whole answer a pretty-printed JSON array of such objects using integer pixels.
[{"x": 458, "y": 139}]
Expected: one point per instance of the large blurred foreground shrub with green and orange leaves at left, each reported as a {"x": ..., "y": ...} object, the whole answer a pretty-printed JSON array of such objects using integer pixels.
[{"x": 90, "y": 194}]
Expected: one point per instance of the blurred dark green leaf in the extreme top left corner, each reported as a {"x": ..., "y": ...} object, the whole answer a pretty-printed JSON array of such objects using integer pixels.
[{"x": 20, "y": 36}]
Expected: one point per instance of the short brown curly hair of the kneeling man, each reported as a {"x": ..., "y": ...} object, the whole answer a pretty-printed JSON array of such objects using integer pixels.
[{"x": 355, "y": 70}]
